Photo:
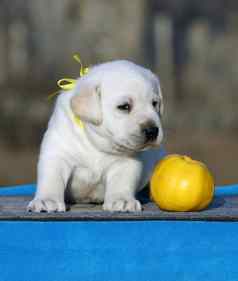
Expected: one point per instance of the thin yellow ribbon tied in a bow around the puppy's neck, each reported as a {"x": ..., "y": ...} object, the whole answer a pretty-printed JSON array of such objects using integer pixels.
[{"x": 67, "y": 84}]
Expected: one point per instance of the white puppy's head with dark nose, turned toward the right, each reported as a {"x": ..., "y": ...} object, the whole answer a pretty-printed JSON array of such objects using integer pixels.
[{"x": 122, "y": 104}]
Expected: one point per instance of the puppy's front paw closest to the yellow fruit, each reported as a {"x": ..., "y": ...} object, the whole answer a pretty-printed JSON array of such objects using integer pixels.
[{"x": 121, "y": 205}]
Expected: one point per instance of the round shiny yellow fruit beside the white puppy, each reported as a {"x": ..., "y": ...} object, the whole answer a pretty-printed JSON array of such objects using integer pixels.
[{"x": 179, "y": 183}]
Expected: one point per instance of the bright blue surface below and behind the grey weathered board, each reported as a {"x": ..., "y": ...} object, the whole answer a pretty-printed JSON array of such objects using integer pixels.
[{"x": 118, "y": 251}]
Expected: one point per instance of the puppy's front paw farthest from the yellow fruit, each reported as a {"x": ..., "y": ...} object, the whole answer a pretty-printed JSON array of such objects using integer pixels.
[{"x": 45, "y": 205}]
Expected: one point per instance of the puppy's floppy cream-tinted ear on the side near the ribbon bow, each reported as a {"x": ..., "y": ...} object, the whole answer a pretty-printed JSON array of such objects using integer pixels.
[{"x": 86, "y": 103}]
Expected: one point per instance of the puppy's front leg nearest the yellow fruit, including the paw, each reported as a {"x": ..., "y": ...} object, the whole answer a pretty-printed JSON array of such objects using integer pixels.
[{"x": 121, "y": 185}]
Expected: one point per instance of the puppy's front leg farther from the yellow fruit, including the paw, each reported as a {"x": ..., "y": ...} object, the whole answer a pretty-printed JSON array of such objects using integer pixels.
[{"x": 53, "y": 174}]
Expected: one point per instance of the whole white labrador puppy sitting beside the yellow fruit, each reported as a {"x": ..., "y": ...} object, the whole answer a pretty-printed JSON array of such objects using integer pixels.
[{"x": 110, "y": 158}]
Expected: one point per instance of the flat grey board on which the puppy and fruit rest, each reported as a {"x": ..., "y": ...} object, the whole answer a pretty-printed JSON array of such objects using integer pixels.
[{"x": 14, "y": 208}]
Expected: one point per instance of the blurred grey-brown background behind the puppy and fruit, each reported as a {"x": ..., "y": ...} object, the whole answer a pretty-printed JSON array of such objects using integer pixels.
[{"x": 191, "y": 45}]
